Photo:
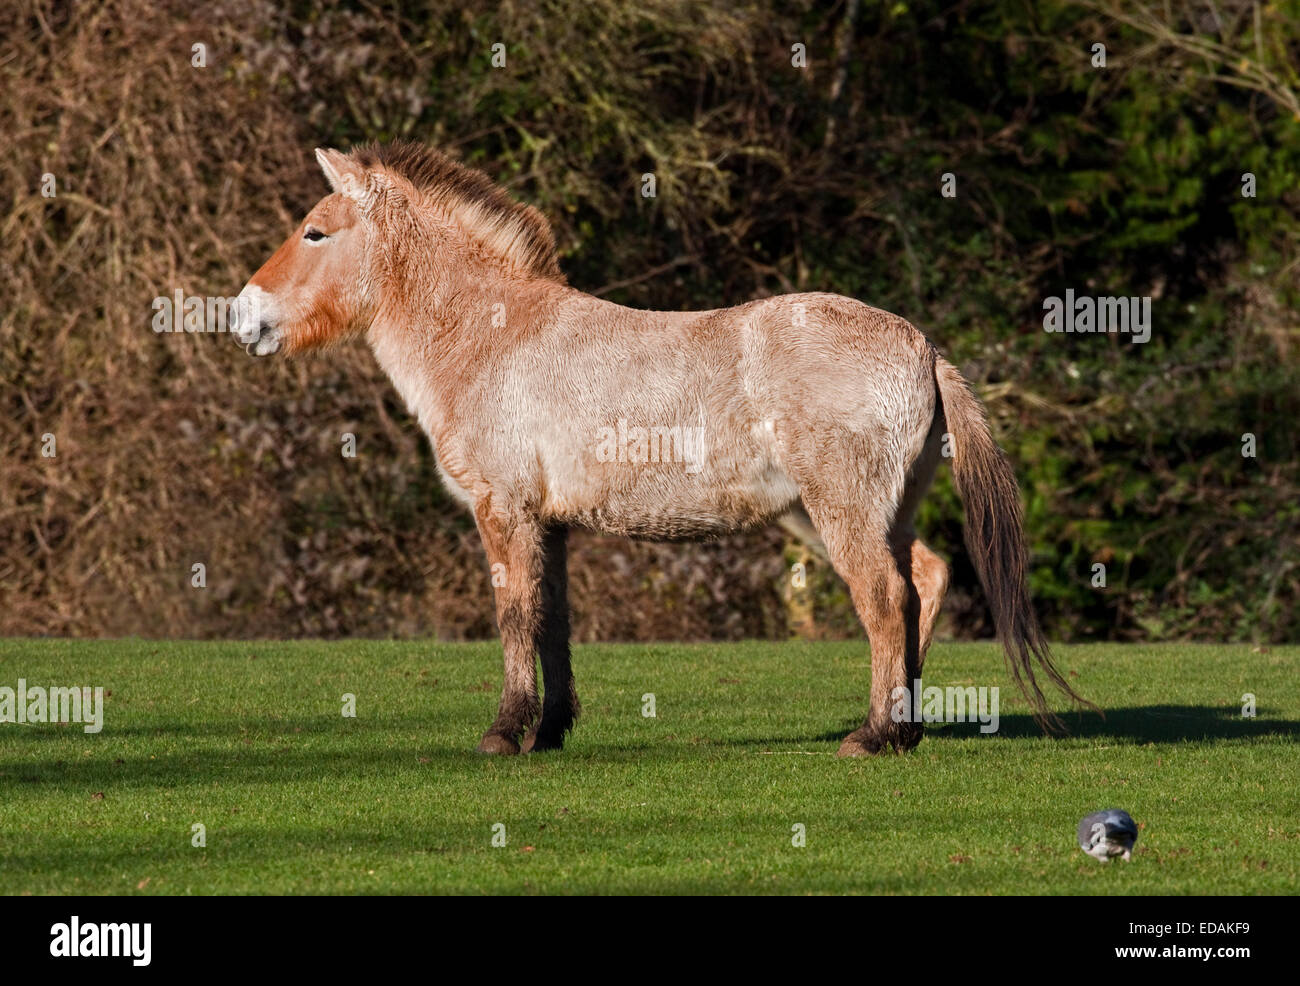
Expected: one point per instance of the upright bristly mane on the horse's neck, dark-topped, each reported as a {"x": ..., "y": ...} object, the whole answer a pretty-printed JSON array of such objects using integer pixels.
[{"x": 518, "y": 233}]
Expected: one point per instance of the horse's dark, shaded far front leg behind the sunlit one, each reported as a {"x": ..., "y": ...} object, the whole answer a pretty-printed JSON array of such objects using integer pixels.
[{"x": 560, "y": 704}]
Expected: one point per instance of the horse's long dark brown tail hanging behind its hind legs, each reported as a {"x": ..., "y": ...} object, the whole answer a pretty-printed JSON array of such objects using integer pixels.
[{"x": 995, "y": 538}]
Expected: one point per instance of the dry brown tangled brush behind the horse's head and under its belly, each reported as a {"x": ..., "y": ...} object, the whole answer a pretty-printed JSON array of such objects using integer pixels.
[{"x": 175, "y": 449}]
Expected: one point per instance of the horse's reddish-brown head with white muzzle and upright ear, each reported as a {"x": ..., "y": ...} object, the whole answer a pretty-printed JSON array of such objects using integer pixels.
[{"x": 314, "y": 291}]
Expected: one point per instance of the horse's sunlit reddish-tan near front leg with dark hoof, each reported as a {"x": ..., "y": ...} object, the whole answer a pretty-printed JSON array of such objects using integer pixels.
[{"x": 514, "y": 546}]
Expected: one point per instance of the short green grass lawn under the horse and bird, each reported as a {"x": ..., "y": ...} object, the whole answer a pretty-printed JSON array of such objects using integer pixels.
[{"x": 249, "y": 741}]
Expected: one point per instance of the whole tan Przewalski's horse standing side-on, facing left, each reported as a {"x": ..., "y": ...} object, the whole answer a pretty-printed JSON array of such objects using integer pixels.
[{"x": 551, "y": 409}]
